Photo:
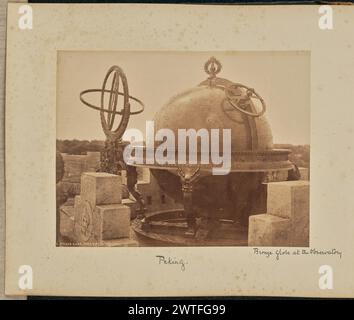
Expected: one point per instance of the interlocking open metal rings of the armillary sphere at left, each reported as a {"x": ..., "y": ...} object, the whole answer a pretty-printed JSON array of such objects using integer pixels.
[{"x": 114, "y": 93}]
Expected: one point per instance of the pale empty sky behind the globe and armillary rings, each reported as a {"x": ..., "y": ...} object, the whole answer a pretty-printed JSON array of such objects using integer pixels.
[{"x": 281, "y": 78}]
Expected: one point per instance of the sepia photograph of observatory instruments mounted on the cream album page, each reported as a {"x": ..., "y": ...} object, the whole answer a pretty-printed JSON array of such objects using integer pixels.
[{"x": 183, "y": 148}]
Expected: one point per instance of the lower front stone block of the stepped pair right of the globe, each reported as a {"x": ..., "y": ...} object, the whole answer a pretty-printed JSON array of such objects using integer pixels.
[{"x": 268, "y": 230}]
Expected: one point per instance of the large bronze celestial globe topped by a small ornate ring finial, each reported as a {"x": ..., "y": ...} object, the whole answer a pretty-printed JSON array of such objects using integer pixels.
[{"x": 220, "y": 103}]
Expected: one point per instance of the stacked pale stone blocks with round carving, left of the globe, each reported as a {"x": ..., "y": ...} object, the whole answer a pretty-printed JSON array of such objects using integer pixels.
[{"x": 99, "y": 215}]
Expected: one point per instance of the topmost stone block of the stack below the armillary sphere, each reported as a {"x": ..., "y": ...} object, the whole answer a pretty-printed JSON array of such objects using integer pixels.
[{"x": 101, "y": 188}]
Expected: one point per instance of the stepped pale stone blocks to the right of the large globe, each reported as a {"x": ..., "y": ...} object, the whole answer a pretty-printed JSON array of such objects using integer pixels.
[{"x": 286, "y": 222}]
